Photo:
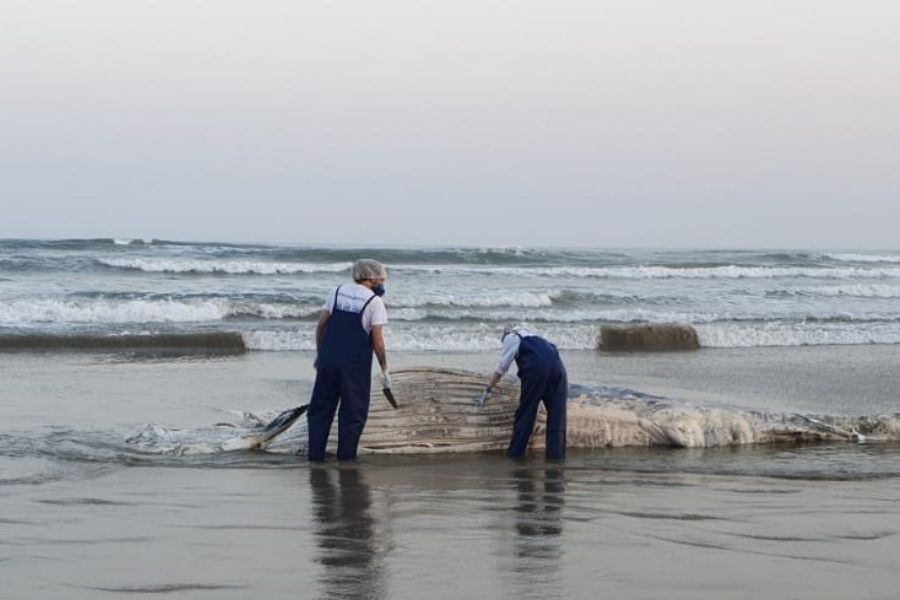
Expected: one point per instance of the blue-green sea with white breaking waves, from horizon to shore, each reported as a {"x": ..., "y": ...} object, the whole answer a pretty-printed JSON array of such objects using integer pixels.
[{"x": 450, "y": 299}]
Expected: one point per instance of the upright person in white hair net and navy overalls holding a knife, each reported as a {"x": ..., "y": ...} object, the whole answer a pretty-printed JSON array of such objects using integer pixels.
[{"x": 349, "y": 330}]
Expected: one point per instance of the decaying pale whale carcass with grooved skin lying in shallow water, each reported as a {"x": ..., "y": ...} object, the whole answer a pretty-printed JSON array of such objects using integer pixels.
[{"x": 436, "y": 414}]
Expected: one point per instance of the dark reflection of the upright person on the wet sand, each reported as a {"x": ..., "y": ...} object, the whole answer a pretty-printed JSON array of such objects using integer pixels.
[{"x": 347, "y": 535}]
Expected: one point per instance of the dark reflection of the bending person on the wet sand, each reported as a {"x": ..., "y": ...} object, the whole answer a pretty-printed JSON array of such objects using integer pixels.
[{"x": 538, "y": 526}]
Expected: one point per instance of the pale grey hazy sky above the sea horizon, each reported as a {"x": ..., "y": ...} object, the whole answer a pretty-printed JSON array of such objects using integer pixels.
[{"x": 633, "y": 123}]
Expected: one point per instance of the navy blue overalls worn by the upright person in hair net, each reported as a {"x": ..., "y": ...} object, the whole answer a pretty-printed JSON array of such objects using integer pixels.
[{"x": 343, "y": 372}]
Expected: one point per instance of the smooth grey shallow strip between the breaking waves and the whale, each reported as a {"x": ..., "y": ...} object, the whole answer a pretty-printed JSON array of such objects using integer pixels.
[{"x": 839, "y": 380}]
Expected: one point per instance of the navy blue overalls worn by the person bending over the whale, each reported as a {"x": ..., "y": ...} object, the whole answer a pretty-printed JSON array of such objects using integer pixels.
[{"x": 543, "y": 378}]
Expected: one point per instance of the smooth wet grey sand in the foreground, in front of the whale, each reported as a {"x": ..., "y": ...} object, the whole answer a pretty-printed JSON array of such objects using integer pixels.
[{"x": 472, "y": 527}]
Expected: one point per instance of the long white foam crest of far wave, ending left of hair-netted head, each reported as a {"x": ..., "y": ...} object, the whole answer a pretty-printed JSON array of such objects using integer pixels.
[{"x": 230, "y": 267}]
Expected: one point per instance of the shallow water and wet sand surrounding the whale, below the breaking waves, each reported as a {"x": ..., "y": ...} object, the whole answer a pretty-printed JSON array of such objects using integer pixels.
[{"x": 84, "y": 516}]
